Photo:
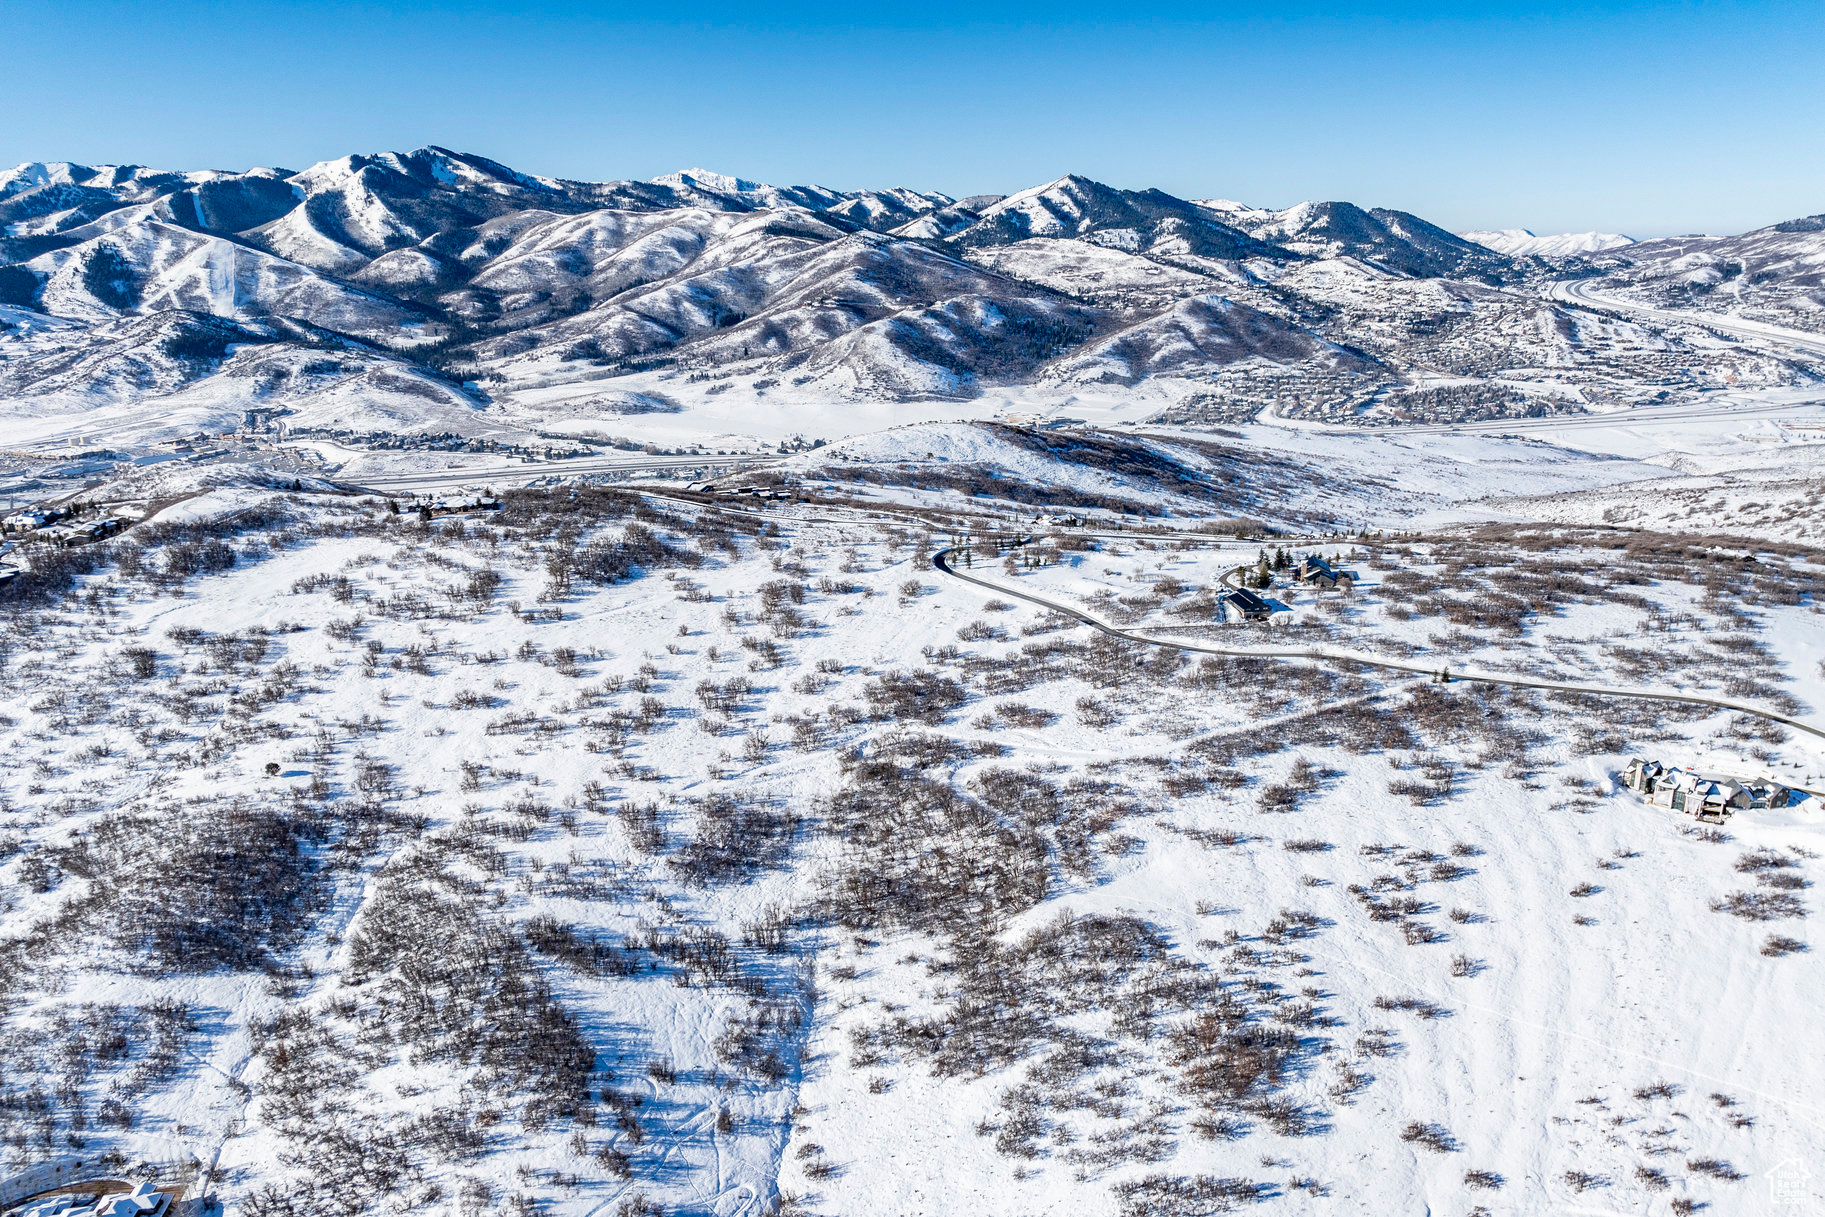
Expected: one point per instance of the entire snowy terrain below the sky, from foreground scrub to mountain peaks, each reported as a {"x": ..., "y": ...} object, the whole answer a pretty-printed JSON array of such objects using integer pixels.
[{"x": 694, "y": 698}]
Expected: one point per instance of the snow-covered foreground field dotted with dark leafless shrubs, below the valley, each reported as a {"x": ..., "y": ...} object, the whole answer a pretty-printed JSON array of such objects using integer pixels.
[{"x": 625, "y": 855}]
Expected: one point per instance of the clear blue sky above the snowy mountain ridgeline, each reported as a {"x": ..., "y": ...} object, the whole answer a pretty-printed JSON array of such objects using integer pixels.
[{"x": 1636, "y": 118}]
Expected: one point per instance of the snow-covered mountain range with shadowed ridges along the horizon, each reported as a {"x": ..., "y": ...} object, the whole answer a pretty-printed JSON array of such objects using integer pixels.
[{"x": 488, "y": 293}]
